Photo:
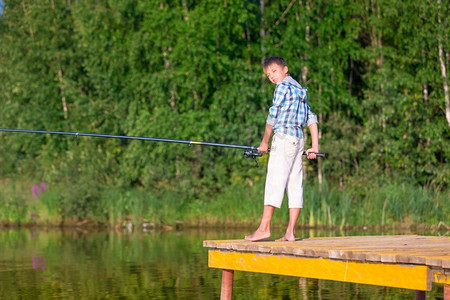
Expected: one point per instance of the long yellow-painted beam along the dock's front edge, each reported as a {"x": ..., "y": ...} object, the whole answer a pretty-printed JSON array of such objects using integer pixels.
[{"x": 393, "y": 275}]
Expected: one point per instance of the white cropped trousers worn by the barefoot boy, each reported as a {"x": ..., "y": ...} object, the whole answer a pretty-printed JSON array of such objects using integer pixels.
[{"x": 284, "y": 171}]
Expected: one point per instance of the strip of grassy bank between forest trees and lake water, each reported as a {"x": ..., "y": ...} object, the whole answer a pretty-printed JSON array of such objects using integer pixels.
[{"x": 27, "y": 203}]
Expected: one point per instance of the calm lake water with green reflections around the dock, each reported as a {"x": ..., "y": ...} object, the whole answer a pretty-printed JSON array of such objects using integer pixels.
[{"x": 77, "y": 264}]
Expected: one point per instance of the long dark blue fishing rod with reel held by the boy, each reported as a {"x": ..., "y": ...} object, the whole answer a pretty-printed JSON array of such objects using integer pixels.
[{"x": 249, "y": 151}]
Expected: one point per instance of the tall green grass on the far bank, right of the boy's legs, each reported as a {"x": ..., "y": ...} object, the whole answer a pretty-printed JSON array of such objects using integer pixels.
[{"x": 388, "y": 204}]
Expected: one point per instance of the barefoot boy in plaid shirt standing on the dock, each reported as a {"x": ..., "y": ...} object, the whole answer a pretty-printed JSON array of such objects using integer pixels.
[{"x": 289, "y": 112}]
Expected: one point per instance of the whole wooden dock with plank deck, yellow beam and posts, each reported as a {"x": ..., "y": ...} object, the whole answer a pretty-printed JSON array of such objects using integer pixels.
[{"x": 403, "y": 261}]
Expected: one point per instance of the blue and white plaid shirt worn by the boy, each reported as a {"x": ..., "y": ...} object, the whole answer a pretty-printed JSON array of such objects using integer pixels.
[{"x": 290, "y": 110}]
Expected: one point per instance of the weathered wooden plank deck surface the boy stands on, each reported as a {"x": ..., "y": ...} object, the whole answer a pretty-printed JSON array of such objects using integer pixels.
[{"x": 387, "y": 249}]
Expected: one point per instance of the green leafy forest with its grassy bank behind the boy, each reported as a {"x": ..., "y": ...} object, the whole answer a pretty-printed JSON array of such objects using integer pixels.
[{"x": 376, "y": 73}]
